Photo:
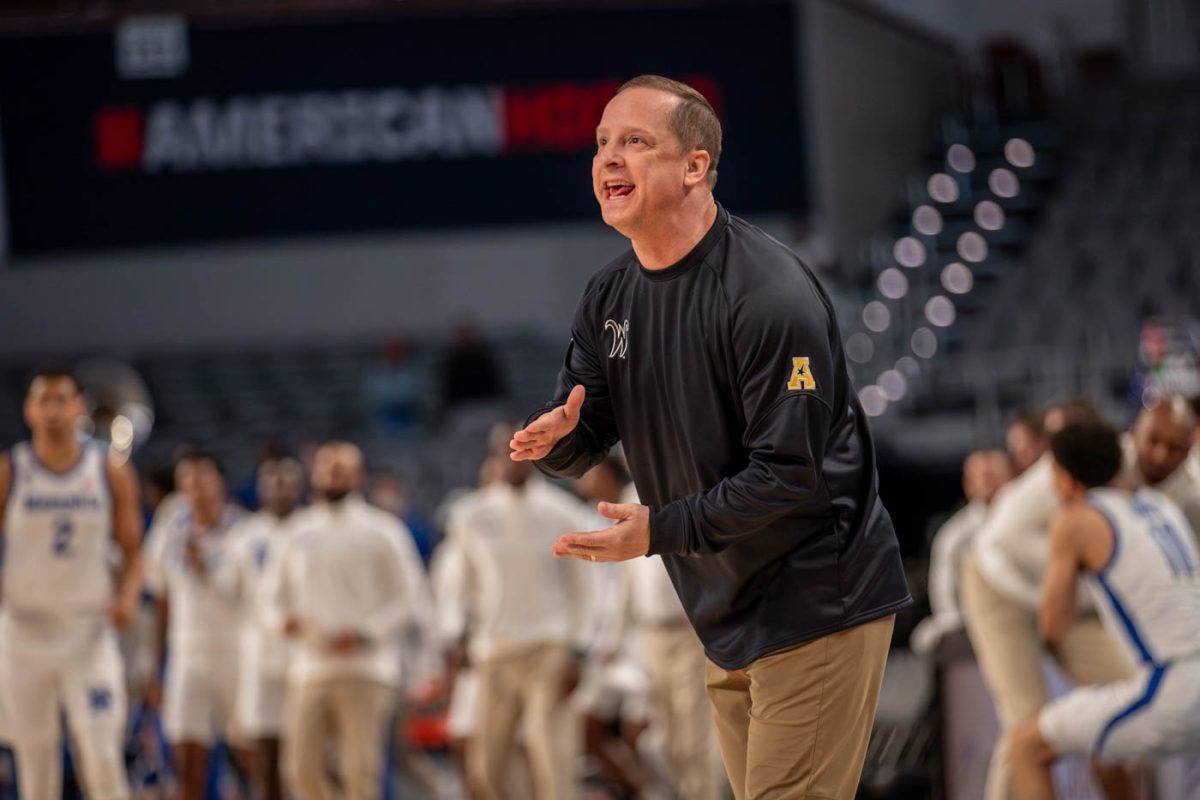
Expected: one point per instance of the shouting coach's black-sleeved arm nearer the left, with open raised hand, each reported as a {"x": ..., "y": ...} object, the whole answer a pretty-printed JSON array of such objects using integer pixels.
[{"x": 574, "y": 432}]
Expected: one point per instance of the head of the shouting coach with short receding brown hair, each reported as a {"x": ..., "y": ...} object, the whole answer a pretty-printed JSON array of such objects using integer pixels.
[{"x": 662, "y": 140}]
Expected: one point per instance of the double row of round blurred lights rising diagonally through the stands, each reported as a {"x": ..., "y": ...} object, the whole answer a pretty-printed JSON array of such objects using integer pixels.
[{"x": 957, "y": 278}]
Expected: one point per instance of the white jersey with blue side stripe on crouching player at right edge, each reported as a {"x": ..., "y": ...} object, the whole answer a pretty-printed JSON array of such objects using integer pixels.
[{"x": 1149, "y": 593}]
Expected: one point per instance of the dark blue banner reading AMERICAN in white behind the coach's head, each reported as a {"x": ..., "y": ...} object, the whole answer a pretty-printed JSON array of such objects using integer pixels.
[{"x": 164, "y": 131}]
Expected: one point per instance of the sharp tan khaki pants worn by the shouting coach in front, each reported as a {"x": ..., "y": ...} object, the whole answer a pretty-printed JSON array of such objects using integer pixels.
[{"x": 796, "y": 724}]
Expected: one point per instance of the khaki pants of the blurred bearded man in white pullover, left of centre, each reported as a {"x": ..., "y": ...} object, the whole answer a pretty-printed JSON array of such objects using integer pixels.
[{"x": 355, "y": 714}]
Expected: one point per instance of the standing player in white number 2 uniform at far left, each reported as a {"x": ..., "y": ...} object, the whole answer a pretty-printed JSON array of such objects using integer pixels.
[{"x": 63, "y": 503}]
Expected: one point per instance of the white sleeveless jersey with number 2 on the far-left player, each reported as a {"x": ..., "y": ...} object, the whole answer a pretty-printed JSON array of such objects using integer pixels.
[{"x": 58, "y": 532}]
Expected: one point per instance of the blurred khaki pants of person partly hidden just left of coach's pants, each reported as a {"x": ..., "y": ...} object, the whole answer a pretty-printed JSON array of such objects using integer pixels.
[{"x": 675, "y": 659}]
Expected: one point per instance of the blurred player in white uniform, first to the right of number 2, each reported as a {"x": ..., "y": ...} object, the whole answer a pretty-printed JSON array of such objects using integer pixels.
[{"x": 200, "y": 622}]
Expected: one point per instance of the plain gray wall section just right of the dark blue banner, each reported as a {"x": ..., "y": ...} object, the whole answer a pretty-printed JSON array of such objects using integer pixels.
[{"x": 874, "y": 95}]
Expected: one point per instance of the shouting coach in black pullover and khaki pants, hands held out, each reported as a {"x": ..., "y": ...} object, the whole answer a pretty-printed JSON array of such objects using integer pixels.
[{"x": 712, "y": 353}]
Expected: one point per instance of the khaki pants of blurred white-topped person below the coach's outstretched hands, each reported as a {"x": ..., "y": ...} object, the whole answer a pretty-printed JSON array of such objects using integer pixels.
[{"x": 524, "y": 693}]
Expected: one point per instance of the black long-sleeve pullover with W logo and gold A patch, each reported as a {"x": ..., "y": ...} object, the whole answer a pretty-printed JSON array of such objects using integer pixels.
[{"x": 725, "y": 380}]
